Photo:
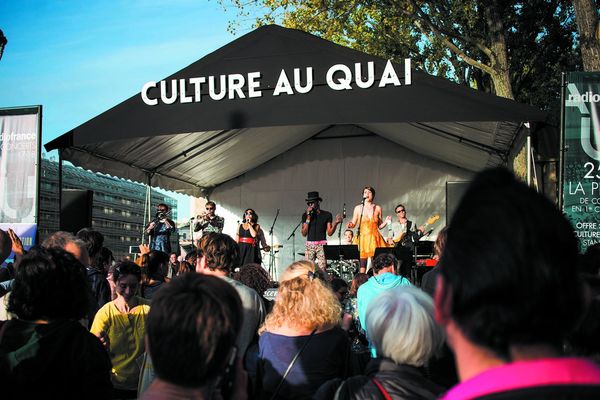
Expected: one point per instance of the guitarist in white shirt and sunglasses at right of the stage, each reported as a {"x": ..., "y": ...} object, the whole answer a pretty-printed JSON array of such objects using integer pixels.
[{"x": 403, "y": 234}]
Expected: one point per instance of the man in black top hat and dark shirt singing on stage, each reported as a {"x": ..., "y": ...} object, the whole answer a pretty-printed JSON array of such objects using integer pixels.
[{"x": 315, "y": 224}]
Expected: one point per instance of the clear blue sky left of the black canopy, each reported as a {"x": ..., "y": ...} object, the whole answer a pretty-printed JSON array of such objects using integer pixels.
[{"x": 78, "y": 59}]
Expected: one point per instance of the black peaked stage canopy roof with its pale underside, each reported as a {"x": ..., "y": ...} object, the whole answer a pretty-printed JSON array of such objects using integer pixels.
[{"x": 198, "y": 145}]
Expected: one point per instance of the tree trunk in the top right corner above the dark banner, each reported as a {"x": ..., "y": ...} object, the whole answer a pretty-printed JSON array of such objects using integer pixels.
[{"x": 589, "y": 33}]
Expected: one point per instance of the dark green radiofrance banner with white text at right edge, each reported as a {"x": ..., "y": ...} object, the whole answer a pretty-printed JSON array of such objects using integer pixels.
[{"x": 581, "y": 159}]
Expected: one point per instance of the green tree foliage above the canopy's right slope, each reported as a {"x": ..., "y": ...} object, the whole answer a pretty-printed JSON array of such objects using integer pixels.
[{"x": 504, "y": 46}]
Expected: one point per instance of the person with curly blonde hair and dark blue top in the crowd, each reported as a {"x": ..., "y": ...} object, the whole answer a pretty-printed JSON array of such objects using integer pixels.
[{"x": 304, "y": 326}]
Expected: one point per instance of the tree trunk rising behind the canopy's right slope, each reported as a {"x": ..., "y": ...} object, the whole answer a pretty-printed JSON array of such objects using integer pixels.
[{"x": 499, "y": 60}]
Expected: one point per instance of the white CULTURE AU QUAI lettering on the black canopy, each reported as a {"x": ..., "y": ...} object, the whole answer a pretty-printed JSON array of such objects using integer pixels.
[{"x": 338, "y": 77}]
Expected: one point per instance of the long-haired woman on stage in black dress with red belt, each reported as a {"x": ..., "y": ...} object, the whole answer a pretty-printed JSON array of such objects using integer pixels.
[{"x": 250, "y": 238}]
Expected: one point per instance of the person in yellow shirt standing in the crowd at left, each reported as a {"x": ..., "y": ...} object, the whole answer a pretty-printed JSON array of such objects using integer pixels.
[{"x": 120, "y": 325}]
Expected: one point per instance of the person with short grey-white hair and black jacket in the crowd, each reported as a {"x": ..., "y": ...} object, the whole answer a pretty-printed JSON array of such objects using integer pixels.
[{"x": 402, "y": 328}]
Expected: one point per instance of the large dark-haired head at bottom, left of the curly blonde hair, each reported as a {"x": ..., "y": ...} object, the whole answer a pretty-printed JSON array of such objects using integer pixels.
[{"x": 205, "y": 313}]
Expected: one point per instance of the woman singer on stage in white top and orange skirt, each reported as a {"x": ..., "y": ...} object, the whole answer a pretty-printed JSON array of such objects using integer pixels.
[{"x": 367, "y": 216}]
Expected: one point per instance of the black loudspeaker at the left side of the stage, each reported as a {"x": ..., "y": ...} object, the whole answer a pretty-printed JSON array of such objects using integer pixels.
[{"x": 76, "y": 209}]
